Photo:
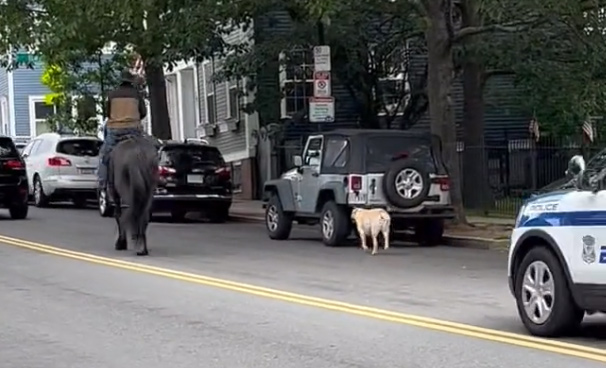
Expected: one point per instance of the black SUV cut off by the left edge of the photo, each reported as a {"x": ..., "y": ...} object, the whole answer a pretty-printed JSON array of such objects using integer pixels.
[{"x": 13, "y": 180}]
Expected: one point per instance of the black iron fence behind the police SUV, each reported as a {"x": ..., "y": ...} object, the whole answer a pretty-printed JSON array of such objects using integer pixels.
[{"x": 515, "y": 170}]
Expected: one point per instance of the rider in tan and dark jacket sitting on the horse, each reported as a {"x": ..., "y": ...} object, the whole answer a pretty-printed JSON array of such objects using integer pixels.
[{"x": 125, "y": 109}]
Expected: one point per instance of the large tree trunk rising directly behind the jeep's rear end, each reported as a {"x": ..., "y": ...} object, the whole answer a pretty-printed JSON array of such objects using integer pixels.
[{"x": 439, "y": 85}]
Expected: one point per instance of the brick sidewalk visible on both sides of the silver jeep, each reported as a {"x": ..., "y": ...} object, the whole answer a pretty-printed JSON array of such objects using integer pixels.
[{"x": 486, "y": 233}]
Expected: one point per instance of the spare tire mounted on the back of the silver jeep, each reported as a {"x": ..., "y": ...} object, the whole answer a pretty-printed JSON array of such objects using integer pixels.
[{"x": 406, "y": 183}]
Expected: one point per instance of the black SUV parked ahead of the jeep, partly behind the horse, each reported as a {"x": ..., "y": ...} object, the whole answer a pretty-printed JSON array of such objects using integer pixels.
[{"x": 193, "y": 177}]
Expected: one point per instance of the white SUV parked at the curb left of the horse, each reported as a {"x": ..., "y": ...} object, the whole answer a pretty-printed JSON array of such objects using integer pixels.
[{"x": 62, "y": 167}]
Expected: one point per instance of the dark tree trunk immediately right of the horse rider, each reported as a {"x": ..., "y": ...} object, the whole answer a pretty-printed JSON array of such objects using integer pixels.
[{"x": 158, "y": 103}]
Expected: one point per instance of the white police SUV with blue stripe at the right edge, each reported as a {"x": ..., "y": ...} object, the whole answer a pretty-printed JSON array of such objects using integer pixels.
[{"x": 557, "y": 258}]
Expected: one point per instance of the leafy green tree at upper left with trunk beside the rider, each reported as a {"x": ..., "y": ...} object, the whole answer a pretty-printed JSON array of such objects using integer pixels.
[{"x": 163, "y": 32}]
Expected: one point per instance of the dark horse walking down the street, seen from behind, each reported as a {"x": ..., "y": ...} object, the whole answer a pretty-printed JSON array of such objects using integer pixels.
[{"x": 133, "y": 177}]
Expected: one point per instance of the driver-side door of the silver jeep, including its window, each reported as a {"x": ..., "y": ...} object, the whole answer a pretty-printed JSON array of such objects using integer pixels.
[{"x": 309, "y": 181}]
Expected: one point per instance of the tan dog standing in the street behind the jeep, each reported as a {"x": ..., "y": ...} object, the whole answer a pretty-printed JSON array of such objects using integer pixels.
[{"x": 372, "y": 222}]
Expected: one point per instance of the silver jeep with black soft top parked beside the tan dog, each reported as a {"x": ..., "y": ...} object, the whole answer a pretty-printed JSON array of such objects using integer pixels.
[{"x": 399, "y": 171}]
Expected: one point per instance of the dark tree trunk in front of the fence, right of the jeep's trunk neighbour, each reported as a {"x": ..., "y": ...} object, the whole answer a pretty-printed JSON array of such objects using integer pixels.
[{"x": 476, "y": 190}]
